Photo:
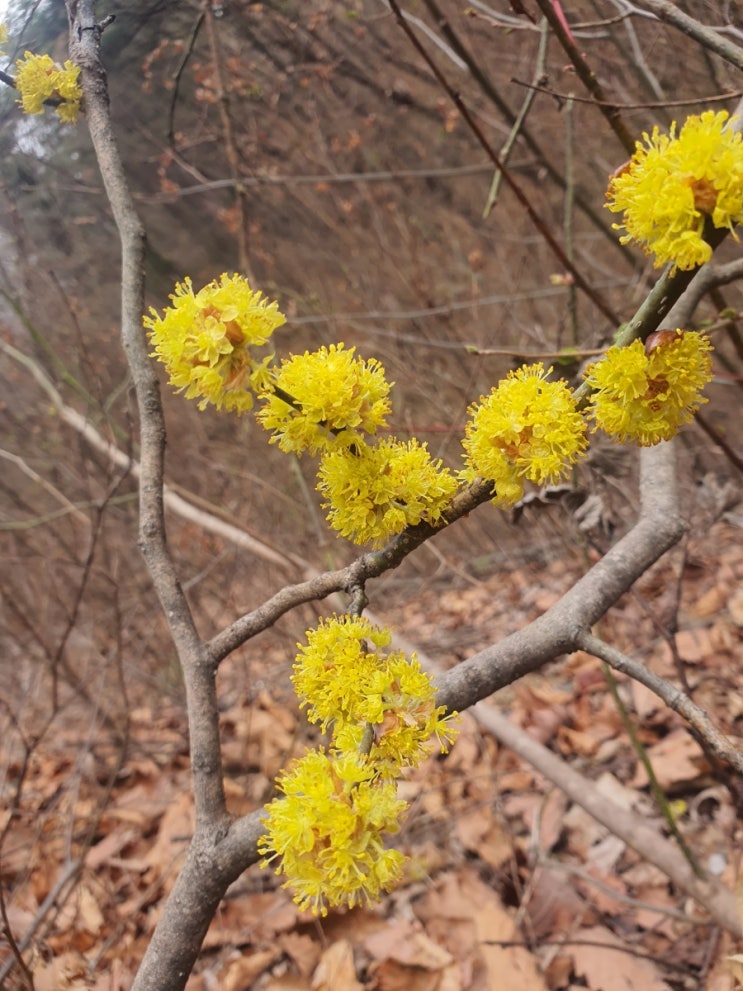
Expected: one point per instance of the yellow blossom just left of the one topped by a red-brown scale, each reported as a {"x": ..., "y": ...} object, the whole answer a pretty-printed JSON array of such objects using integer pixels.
[{"x": 526, "y": 429}]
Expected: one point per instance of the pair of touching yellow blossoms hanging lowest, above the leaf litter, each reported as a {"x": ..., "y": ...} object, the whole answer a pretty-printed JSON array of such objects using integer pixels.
[{"x": 327, "y": 829}]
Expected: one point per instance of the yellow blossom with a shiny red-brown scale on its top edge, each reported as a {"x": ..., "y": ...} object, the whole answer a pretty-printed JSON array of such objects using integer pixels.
[{"x": 644, "y": 397}]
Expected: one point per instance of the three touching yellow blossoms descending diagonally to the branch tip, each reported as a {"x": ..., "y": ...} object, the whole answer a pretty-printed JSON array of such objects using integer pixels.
[{"x": 329, "y": 401}]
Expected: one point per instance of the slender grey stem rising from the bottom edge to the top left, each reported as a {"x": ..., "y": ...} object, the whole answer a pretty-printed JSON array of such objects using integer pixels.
[{"x": 200, "y": 886}]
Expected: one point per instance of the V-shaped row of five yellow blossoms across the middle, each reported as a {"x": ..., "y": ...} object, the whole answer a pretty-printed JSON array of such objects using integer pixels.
[{"x": 332, "y": 403}]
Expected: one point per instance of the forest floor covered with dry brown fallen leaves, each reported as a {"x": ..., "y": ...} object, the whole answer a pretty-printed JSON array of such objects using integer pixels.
[{"x": 508, "y": 884}]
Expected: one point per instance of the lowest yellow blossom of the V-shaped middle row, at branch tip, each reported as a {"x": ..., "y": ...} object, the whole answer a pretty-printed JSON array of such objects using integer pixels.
[{"x": 373, "y": 493}]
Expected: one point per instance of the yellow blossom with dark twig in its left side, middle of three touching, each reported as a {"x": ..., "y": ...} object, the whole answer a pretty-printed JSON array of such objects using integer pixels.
[{"x": 340, "y": 398}]
